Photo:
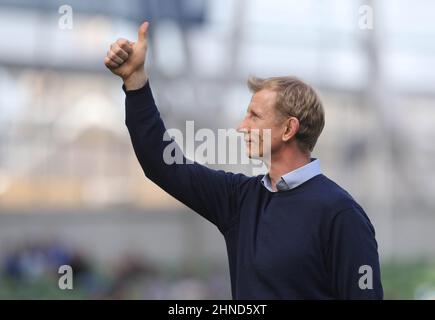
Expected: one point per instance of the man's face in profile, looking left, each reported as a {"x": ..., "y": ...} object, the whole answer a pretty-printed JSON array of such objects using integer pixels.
[{"x": 261, "y": 121}]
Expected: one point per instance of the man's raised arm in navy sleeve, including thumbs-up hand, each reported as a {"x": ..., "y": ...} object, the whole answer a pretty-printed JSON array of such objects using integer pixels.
[{"x": 212, "y": 193}]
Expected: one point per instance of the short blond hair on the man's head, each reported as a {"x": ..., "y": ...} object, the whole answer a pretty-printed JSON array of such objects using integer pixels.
[{"x": 296, "y": 99}]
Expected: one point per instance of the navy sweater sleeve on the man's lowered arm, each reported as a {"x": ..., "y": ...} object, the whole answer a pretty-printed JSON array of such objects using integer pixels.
[{"x": 354, "y": 256}]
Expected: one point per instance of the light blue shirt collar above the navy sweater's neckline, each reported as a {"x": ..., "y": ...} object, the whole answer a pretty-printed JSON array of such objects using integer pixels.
[{"x": 294, "y": 178}]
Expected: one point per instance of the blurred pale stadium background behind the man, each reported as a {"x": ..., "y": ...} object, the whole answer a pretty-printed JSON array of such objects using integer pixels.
[{"x": 72, "y": 191}]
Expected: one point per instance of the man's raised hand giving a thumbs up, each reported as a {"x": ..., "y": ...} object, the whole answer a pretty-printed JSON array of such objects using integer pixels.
[{"x": 126, "y": 59}]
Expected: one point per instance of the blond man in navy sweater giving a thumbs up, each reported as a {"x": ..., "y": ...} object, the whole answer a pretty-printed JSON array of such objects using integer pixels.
[{"x": 290, "y": 234}]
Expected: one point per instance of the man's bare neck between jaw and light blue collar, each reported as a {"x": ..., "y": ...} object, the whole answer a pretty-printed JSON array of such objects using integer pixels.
[{"x": 284, "y": 161}]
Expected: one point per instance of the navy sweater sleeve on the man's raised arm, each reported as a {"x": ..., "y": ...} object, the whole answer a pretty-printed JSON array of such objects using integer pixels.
[{"x": 211, "y": 193}]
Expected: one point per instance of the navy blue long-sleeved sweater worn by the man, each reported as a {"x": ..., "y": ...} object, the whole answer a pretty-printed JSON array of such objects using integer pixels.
[{"x": 305, "y": 243}]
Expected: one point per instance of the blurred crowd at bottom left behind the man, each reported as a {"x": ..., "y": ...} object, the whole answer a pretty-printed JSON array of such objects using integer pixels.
[{"x": 33, "y": 266}]
